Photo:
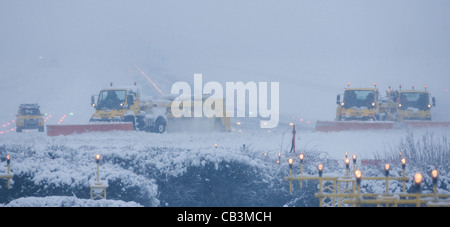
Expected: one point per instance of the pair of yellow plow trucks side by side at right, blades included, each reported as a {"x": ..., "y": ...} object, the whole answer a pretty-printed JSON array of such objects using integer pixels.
[{"x": 365, "y": 108}]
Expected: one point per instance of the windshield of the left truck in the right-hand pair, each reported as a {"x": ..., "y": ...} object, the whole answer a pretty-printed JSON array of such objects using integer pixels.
[{"x": 358, "y": 98}]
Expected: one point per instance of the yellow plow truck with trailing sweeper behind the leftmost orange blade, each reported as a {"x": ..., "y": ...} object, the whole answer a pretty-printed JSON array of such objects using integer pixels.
[{"x": 146, "y": 114}]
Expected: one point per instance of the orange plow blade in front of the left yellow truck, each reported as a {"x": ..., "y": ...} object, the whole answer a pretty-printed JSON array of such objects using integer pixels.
[{"x": 57, "y": 130}]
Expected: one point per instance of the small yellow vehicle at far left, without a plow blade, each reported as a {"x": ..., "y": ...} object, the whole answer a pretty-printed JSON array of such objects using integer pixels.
[{"x": 29, "y": 117}]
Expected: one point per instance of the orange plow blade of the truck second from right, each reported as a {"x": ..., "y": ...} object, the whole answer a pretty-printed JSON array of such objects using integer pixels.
[{"x": 334, "y": 126}]
